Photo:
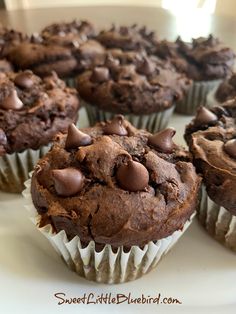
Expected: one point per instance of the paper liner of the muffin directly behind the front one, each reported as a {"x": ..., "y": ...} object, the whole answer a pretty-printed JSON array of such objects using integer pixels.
[{"x": 152, "y": 122}]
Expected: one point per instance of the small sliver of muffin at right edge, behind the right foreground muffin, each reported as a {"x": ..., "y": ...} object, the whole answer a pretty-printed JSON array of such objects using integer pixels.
[{"x": 225, "y": 91}]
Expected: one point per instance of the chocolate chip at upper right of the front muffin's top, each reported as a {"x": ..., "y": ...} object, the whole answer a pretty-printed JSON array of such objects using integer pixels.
[{"x": 162, "y": 141}]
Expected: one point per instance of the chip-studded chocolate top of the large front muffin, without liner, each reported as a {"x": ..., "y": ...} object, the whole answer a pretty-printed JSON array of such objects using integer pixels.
[{"x": 116, "y": 185}]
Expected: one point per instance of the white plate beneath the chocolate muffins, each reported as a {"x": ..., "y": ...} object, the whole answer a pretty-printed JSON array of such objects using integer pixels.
[{"x": 199, "y": 272}]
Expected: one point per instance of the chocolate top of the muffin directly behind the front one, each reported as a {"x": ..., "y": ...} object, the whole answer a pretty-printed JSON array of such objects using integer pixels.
[{"x": 131, "y": 82}]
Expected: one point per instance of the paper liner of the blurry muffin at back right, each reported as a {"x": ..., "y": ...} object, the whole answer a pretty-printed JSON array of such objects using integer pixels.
[{"x": 196, "y": 96}]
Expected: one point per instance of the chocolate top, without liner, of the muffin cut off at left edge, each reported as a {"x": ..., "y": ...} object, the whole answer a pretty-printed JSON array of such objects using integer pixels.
[{"x": 33, "y": 110}]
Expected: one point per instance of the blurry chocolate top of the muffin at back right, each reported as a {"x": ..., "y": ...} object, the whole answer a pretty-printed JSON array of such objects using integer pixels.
[{"x": 202, "y": 59}]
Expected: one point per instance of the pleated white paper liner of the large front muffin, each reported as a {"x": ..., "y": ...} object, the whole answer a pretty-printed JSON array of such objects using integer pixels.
[{"x": 104, "y": 266}]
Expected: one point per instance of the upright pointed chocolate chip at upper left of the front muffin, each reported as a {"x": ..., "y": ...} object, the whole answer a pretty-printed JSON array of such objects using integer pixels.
[{"x": 76, "y": 138}]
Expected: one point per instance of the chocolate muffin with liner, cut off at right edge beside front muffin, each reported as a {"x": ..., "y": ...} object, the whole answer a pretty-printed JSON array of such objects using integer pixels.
[{"x": 211, "y": 137}]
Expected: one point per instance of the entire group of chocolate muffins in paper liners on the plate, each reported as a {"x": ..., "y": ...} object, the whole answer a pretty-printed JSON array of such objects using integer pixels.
[{"x": 113, "y": 198}]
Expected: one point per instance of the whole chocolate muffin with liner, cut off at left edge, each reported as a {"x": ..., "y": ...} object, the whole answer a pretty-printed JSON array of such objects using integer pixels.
[{"x": 32, "y": 111}]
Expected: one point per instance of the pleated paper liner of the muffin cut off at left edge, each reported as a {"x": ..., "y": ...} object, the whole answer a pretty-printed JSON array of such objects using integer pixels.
[{"x": 15, "y": 168}]
